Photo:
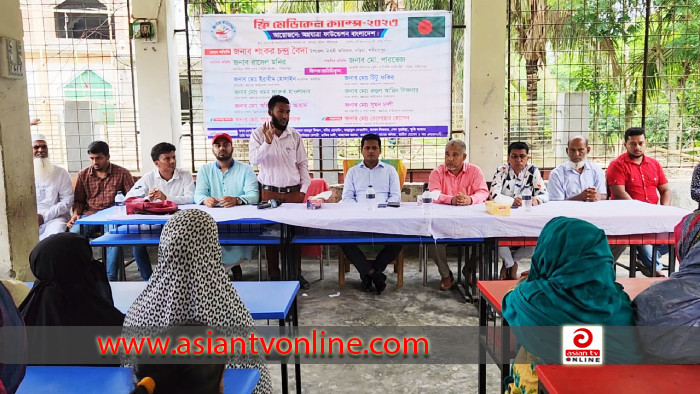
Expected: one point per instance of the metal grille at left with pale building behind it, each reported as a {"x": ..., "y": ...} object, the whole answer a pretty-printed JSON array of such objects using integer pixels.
[{"x": 80, "y": 78}]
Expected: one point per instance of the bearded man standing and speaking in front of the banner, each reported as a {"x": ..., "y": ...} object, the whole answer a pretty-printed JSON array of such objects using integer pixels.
[{"x": 284, "y": 170}]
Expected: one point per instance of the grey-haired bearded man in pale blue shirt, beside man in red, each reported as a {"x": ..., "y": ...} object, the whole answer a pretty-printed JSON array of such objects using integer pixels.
[{"x": 578, "y": 179}]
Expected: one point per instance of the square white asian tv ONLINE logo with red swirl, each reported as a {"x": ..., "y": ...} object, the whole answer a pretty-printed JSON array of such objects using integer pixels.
[{"x": 582, "y": 345}]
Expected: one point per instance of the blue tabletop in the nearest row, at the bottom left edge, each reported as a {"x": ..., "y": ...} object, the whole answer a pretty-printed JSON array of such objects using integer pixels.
[{"x": 117, "y": 380}]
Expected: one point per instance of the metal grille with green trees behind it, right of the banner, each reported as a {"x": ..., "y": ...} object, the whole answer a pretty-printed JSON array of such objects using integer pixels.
[{"x": 597, "y": 67}]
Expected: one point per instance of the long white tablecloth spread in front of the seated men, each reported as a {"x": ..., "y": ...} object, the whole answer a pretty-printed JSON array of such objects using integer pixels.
[{"x": 620, "y": 217}]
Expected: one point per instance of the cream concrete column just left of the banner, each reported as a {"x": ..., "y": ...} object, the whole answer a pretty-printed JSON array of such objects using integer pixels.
[{"x": 157, "y": 80}]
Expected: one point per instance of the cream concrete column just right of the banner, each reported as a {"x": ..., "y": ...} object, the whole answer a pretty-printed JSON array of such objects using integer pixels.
[{"x": 485, "y": 63}]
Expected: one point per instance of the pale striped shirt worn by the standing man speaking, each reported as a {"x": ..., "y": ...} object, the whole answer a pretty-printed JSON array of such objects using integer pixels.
[{"x": 283, "y": 162}]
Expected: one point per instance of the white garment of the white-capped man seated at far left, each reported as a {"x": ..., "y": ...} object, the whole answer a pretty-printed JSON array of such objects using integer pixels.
[{"x": 54, "y": 196}]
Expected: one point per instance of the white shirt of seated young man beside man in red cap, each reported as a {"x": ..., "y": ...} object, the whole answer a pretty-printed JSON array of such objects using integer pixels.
[{"x": 179, "y": 189}]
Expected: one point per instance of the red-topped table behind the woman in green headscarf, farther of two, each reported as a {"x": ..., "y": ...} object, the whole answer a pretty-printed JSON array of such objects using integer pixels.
[{"x": 500, "y": 347}]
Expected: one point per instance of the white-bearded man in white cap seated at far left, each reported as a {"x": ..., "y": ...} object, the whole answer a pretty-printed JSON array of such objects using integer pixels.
[{"x": 54, "y": 190}]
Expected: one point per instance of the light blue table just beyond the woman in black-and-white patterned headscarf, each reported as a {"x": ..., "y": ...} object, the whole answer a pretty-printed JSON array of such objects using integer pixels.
[{"x": 255, "y": 296}]
